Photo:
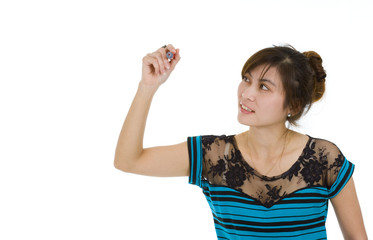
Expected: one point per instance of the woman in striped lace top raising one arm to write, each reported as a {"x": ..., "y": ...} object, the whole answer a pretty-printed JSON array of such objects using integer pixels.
[{"x": 266, "y": 183}]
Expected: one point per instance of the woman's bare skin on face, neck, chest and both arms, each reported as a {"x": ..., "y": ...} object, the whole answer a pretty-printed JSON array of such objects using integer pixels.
[{"x": 265, "y": 138}]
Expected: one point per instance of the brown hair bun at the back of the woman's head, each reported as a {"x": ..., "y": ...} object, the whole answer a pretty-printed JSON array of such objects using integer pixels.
[{"x": 319, "y": 74}]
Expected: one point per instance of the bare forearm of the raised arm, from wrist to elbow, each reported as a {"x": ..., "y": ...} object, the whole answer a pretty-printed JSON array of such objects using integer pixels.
[{"x": 130, "y": 142}]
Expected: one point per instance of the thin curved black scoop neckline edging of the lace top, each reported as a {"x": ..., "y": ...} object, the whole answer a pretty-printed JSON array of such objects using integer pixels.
[{"x": 275, "y": 177}]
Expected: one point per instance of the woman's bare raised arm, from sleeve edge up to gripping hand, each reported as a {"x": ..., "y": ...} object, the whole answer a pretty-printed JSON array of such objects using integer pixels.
[{"x": 130, "y": 156}]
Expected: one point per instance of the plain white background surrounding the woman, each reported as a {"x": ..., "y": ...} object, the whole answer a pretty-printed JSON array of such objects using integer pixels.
[{"x": 69, "y": 71}]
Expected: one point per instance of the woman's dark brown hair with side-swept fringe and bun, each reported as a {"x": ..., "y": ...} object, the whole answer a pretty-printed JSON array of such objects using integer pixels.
[{"x": 302, "y": 75}]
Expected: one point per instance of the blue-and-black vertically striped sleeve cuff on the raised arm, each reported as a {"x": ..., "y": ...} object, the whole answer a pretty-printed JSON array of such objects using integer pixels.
[{"x": 195, "y": 160}]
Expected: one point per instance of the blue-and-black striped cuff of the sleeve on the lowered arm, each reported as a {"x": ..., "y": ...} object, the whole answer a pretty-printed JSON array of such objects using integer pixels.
[{"x": 341, "y": 172}]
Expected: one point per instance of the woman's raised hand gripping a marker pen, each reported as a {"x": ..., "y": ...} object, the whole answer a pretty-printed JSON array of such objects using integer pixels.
[{"x": 156, "y": 67}]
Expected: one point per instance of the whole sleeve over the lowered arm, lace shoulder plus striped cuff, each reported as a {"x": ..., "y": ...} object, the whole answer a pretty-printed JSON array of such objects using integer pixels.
[{"x": 339, "y": 170}]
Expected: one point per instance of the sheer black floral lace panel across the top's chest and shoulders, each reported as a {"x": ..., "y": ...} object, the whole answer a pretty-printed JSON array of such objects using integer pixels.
[{"x": 223, "y": 164}]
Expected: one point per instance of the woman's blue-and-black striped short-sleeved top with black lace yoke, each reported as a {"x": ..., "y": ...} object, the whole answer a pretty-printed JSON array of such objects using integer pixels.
[{"x": 248, "y": 205}]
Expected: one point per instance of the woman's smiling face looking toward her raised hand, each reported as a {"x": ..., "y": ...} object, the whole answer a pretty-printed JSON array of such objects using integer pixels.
[{"x": 261, "y": 101}]
